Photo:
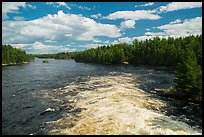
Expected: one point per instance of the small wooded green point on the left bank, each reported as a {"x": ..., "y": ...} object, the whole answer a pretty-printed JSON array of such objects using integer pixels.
[{"x": 12, "y": 55}]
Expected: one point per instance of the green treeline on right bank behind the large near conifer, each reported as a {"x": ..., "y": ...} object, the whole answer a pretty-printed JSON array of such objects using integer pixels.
[{"x": 160, "y": 52}]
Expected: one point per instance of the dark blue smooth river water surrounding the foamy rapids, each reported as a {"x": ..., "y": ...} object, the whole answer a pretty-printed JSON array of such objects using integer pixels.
[{"x": 25, "y": 111}]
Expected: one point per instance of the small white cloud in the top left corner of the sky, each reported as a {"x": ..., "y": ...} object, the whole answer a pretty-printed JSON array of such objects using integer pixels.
[{"x": 11, "y": 7}]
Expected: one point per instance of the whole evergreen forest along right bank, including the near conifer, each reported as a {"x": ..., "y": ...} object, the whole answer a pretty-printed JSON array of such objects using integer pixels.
[{"x": 183, "y": 54}]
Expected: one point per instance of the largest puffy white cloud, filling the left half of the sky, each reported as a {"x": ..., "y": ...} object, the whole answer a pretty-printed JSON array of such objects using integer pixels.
[{"x": 59, "y": 27}]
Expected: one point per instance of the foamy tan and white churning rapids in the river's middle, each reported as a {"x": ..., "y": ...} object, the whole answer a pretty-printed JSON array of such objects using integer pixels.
[{"x": 113, "y": 105}]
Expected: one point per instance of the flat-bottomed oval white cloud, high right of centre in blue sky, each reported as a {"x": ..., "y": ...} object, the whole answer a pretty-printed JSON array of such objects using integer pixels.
[{"x": 133, "y": 15}]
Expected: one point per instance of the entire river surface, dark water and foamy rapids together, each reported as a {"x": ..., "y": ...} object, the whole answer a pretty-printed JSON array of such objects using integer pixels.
[{"x": 36, "y": 95}]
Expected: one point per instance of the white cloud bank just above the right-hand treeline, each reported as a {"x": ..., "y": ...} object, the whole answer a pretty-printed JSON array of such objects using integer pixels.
[{"x": 174, "y": 29}]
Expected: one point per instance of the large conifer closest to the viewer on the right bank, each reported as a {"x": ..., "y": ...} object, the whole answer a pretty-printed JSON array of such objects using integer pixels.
[{"x": 188, "y": 82}]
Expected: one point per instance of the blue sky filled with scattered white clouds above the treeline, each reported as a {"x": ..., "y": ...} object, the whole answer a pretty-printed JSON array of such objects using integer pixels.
[{"x": 53, "y": 27}]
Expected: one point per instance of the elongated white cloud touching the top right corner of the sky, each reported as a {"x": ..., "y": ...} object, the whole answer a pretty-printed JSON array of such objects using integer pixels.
[{"x": 173, "y": 6}]
